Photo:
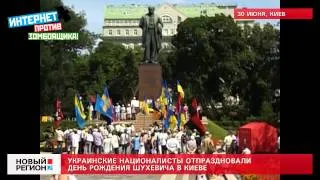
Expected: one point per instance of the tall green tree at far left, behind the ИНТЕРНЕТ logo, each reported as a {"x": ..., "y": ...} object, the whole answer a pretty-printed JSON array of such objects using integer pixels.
[{"x": 58, "y": 61}]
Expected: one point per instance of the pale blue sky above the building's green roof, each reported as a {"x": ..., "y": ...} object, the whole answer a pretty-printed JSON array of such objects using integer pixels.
[{"x": 94, "y": 8}]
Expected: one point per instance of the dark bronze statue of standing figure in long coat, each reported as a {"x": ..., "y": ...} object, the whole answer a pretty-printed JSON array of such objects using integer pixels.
[{"x": 151, "y": 26}]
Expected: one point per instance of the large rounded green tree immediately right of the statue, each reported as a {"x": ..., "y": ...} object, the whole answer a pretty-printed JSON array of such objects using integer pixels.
[{"x": 208, "y": 48}]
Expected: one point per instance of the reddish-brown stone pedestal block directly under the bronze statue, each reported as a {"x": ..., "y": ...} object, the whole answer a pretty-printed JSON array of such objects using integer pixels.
[{"x": 150, "y": 81}]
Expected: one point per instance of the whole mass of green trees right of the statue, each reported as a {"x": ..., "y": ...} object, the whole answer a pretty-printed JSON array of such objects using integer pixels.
[{"x": 216, "y": 58}]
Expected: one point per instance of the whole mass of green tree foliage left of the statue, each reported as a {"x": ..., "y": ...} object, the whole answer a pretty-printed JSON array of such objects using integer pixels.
[{"x": 65, "y": 70}]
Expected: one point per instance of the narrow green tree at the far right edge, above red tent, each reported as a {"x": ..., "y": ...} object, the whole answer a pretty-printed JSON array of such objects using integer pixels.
[{"x": 263, "y": 70}]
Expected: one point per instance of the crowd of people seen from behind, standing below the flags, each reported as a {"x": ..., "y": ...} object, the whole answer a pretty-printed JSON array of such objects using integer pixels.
[{"x": 125, "y": 139}]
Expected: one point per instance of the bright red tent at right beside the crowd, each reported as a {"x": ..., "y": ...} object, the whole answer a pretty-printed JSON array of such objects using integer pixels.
[{"x": 259, "y": 137}]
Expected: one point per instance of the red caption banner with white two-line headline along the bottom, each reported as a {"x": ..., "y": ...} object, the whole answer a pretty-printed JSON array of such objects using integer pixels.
[{"x": 187, "y": 164}]
